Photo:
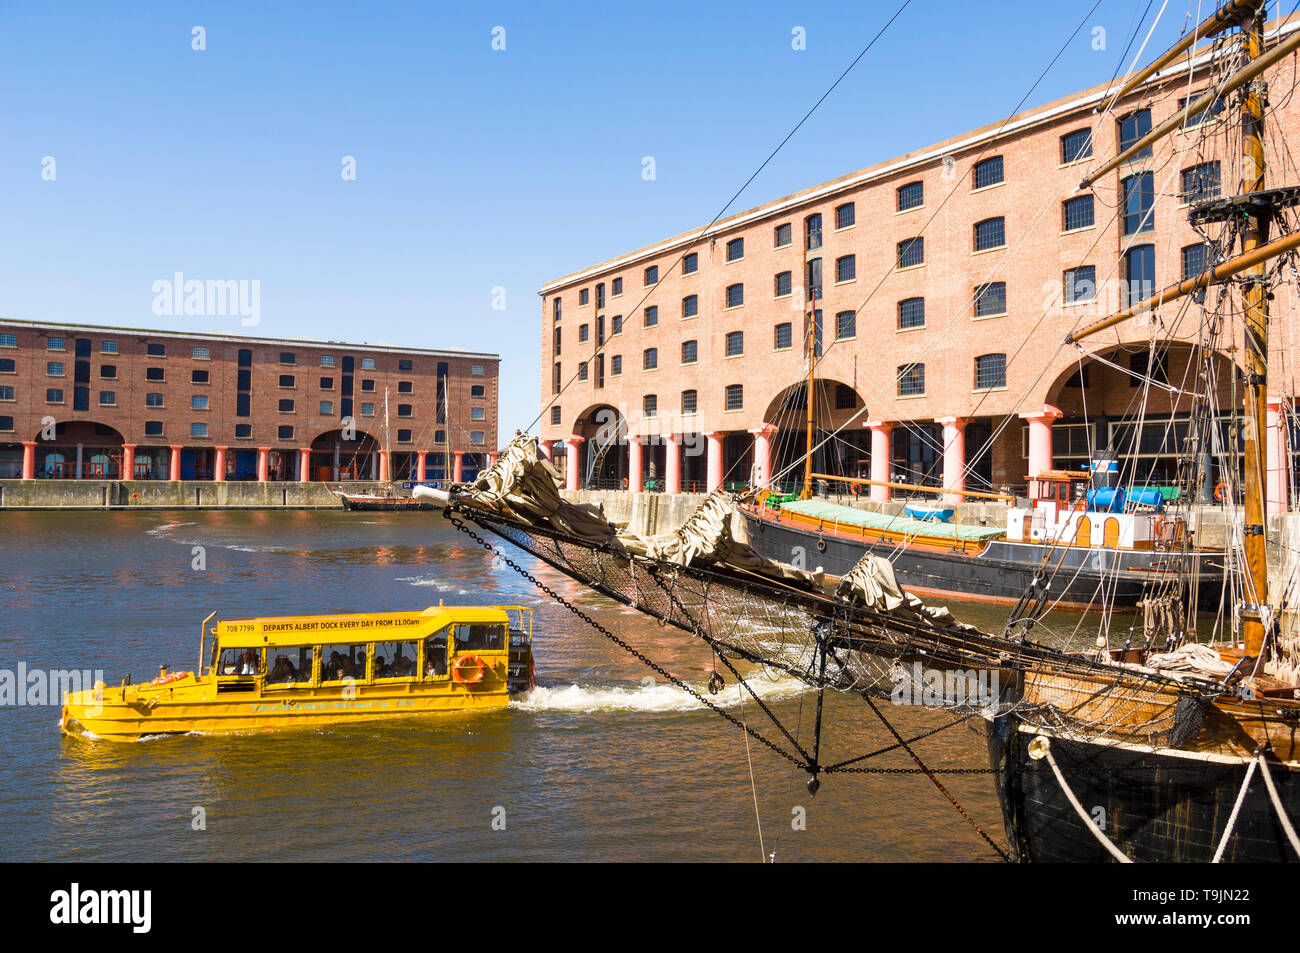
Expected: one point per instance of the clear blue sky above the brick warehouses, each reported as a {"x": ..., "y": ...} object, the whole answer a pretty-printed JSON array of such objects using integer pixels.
[{"x": 475, "y": 168}]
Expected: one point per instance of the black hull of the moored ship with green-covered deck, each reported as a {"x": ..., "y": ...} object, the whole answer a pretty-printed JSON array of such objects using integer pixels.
[{"x": 1003, "y": 570}]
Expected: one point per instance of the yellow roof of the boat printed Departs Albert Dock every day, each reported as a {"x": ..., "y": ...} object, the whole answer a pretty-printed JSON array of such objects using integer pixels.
[{"x": 367, "y": 627}]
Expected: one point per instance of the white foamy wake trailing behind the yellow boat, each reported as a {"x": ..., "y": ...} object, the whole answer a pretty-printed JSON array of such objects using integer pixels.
[{"x": 651, "y": 699}]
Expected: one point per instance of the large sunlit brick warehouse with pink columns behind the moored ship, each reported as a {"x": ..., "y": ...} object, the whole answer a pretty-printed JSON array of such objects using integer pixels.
[{"x": 944, "y": 283}]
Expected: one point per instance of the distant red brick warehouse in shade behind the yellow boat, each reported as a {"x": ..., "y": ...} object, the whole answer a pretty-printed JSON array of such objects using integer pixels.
[{"x": 122, "y": 404}]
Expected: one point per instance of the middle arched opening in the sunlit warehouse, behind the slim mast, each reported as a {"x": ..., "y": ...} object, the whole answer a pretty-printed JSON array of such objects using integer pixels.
[{"x": 835, "y": 405}]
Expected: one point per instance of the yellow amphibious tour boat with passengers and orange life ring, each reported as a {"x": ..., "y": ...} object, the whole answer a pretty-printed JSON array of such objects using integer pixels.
[{"x": 317, "y": 670}]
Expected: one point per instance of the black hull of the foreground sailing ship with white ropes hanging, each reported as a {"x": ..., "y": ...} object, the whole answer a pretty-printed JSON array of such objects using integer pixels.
[{"x": 1156, "y": 805}]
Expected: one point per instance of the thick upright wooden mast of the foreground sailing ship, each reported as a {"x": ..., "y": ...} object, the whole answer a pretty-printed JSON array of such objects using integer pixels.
[{"x": 1256, "y": 307}]
